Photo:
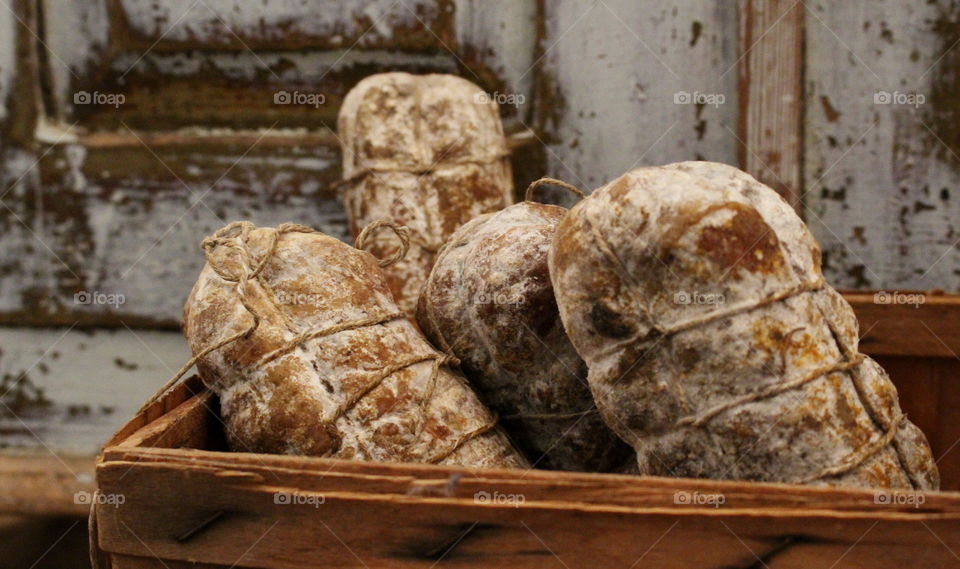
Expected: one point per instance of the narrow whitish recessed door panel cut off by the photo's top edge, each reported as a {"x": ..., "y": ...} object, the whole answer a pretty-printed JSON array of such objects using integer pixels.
[{"x": 411, "y": 25}]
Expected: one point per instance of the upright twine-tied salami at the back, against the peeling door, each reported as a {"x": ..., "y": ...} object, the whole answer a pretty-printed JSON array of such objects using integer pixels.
[{"x": 437, "y": 157}]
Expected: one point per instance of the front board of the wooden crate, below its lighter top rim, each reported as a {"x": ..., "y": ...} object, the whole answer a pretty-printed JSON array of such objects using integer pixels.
[{"x": 412, "y": 531}]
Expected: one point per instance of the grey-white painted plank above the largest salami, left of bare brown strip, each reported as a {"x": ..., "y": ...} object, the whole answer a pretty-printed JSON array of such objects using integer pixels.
[{"x": 600, "y": 56}]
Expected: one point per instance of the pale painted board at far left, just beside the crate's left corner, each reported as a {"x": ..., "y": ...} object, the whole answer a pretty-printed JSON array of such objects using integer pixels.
[{"x": 95, "y": 380}]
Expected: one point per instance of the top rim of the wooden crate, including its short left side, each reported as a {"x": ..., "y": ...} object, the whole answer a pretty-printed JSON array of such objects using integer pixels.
[{"x": 310, "y": 472}]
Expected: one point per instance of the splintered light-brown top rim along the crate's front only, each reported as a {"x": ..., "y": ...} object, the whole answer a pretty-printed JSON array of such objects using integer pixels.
[{"x": 614, "y": 491}]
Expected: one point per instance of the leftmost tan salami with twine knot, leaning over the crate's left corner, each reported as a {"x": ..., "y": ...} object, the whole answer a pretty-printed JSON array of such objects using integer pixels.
[{"x": 289, "y": 405}]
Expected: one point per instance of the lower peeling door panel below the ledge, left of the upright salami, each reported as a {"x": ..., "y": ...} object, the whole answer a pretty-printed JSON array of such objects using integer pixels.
[{"x": 123, "y": 224}]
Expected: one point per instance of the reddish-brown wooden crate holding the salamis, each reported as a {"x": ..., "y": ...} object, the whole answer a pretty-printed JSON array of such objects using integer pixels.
[{"x": 187, "y": 503}]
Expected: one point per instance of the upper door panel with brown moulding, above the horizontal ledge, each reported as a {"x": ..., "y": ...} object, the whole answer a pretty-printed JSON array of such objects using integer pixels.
[{"x": 216, "y": 64}]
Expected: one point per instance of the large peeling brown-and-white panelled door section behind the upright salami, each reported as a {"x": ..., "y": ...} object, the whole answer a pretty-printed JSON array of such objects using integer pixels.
[{"x": 159, "y": 123}]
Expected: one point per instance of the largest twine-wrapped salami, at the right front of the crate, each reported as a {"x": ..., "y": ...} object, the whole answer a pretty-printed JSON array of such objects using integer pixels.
[{"x": 714, "y": 346}]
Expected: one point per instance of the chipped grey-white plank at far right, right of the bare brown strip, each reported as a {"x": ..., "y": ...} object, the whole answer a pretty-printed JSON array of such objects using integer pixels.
[{"x": 875, "y": 172}]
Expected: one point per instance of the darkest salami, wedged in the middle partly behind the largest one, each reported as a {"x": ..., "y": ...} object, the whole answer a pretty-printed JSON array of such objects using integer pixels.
[{"x": 490, "y": 303}]
